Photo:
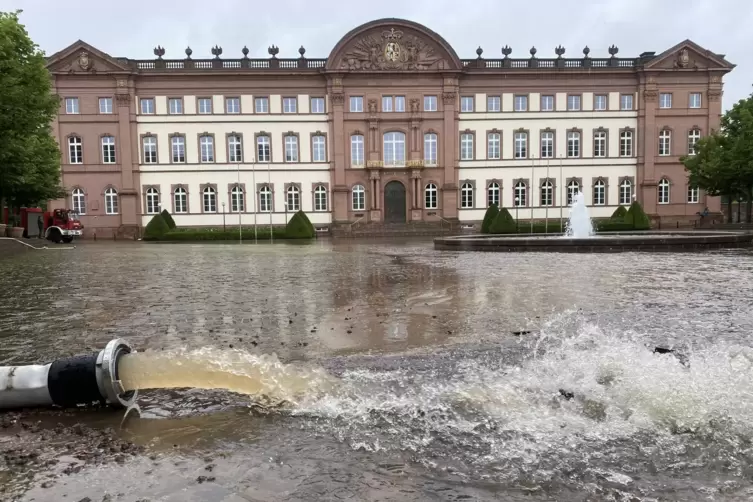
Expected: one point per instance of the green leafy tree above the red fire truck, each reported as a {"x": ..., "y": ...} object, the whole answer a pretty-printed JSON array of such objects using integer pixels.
[{"x": 29, "y": 154}]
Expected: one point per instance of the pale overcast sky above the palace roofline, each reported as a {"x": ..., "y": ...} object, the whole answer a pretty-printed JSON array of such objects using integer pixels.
[{"x": 133, "y": 28}]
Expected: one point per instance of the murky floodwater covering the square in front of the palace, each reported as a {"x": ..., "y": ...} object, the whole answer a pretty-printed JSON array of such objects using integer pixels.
[{"x": 387, "y": 371}]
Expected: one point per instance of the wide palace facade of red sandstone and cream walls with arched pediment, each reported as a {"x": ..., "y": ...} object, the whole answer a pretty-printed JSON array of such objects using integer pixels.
[{"x": 391, "y": 127}]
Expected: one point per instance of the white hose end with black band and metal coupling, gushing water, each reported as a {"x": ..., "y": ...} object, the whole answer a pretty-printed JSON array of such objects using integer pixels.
[{"x": 69, "y": 382}]
